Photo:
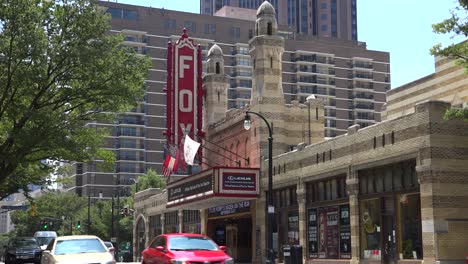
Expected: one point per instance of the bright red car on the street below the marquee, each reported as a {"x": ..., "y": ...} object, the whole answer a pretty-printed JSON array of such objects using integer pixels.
[{"x": 183, "y": 248}]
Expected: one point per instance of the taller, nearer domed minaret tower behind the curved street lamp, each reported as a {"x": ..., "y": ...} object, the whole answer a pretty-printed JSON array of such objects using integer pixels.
[{"x": 266, "y": 50}]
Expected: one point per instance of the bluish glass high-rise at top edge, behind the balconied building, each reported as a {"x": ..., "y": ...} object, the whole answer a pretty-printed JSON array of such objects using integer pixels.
[{"x": 322, "y": 18}]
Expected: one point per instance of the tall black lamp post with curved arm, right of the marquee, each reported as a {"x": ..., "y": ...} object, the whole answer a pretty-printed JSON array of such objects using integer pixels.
[{"x": 270, "y": 209}]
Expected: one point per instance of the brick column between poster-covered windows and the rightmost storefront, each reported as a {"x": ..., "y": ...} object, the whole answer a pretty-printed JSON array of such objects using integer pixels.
[{"x": 352, "y": 184}]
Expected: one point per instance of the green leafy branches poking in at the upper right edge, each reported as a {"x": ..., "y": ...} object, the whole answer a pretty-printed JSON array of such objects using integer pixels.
[{"x": 457, "y": 25}]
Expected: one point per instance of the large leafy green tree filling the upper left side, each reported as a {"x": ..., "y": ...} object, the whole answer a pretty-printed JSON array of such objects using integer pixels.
[{"x": 59, "y": 69}]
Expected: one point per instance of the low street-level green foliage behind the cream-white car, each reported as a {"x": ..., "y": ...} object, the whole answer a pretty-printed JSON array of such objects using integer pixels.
[{"x": 63, "y": 211}]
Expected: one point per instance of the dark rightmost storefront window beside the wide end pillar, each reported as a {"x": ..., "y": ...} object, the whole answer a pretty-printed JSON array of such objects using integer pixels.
[{"x": 410, "y": 223}]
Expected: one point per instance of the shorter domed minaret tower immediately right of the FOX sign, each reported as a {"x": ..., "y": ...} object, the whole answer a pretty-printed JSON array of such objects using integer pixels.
[{"x": 215, "y": 86}]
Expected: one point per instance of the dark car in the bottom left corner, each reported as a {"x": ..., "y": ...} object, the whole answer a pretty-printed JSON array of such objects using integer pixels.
[{"x": 22, "y": 250}]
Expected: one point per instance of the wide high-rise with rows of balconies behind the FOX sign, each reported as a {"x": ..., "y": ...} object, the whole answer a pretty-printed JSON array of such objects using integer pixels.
[{"x": 350, "y": 79}]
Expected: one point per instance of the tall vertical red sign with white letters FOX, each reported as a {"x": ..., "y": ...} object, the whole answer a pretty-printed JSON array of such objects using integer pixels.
[{"x": 184, "y": 90}]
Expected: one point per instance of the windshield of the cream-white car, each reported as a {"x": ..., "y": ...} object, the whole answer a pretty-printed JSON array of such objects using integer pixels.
[{"x": 76, "y": 246}]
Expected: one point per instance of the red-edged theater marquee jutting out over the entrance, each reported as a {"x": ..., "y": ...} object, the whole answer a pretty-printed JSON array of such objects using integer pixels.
[{"x": 214, "y": 187}]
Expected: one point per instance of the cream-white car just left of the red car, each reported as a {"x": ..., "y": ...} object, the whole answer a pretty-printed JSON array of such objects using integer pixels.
[{"x": 77, "y": 250}]
